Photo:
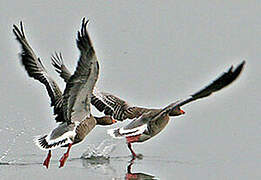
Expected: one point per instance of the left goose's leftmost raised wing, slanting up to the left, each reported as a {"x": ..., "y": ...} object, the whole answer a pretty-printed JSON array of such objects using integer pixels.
[{"x": 36, "y": 70}]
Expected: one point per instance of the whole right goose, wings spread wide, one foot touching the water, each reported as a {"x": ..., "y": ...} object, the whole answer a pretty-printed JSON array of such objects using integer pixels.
[{"x": 147, "y": 122}]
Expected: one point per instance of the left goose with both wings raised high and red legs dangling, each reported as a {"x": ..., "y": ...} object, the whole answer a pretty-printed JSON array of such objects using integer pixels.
[{"x": 72, "y": 107}]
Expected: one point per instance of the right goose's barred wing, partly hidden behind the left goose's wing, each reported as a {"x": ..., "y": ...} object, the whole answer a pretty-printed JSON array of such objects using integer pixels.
[{"x": 104, "y": 102}]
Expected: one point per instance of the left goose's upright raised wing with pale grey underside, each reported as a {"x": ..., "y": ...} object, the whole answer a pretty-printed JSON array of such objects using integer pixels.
[{"x": 77, "y": 94}]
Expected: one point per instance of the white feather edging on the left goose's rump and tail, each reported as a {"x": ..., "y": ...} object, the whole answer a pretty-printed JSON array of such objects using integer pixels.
[{"x": 68, "y": 135}]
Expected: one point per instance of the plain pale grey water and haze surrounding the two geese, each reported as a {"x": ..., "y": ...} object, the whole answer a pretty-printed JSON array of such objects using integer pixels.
[{"x": 151, "y": 53}]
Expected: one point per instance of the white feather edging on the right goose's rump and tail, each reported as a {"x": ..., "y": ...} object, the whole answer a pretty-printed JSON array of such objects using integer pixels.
[{"x": 130, "y": 132}]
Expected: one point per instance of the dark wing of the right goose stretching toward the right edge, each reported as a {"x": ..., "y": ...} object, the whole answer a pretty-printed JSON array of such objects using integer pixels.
[{"x": 224, "y": 80}]
